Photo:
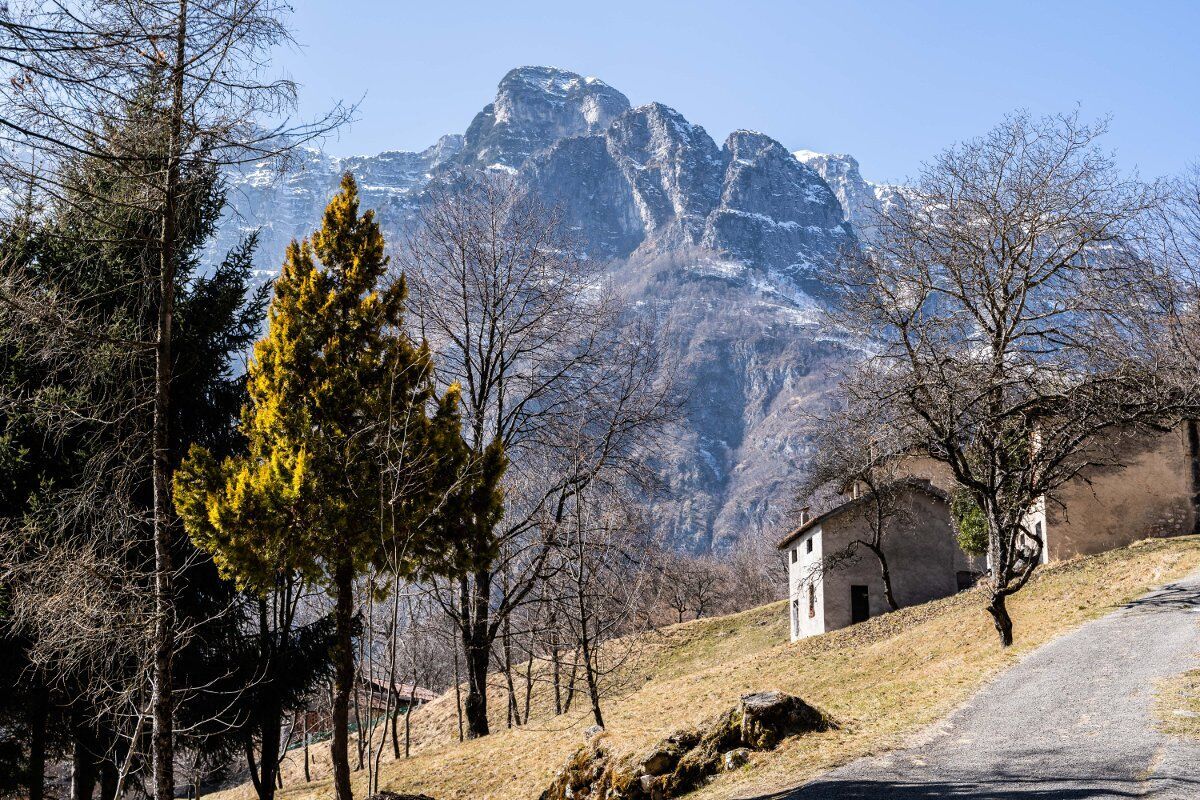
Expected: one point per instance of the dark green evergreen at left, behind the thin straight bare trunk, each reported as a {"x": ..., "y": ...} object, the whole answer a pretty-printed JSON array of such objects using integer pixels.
[{"x": 74, "y": 471}]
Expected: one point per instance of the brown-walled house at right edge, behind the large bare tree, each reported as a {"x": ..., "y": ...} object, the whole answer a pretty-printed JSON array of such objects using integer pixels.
[{"x": 1141, "y": 486}]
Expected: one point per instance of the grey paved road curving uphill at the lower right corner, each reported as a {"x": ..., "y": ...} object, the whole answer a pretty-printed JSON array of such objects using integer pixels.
[{"x": 1072, "y": 721}]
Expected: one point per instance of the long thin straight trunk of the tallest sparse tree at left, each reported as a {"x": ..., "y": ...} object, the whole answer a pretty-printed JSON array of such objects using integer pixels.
[{"x": 163, "y": 683}]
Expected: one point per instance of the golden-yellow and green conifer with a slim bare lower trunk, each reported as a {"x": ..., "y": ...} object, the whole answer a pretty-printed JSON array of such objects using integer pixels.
[{"x": 331, "y": 386}]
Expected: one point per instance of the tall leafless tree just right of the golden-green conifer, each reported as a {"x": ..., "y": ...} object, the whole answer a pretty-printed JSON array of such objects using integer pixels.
[{"x": 551, "y": 375}]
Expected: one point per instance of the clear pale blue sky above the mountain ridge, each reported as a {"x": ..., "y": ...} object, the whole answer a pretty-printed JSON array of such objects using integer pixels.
[{"x": 891, "y": 83}]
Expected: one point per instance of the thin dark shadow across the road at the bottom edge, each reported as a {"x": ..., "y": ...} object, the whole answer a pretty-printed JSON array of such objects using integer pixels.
[{"x": 1059, "y": 789}]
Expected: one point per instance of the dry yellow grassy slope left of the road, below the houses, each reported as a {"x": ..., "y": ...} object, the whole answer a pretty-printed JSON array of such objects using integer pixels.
[{"x": 883, "y": 681}]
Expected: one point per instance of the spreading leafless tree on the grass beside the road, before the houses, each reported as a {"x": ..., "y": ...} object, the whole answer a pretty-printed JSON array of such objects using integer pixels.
[{"x": 1013, "y": 324}]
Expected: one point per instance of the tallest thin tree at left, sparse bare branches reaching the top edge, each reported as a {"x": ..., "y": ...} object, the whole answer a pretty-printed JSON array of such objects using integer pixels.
[{"x": 69, "y": 70}]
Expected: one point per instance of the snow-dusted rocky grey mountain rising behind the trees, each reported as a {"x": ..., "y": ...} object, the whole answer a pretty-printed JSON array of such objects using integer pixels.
[{"x": 723, "y": 244}]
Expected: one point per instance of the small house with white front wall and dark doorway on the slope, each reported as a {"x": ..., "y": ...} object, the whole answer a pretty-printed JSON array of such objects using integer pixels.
[{"x": 925, "y": 562}]
